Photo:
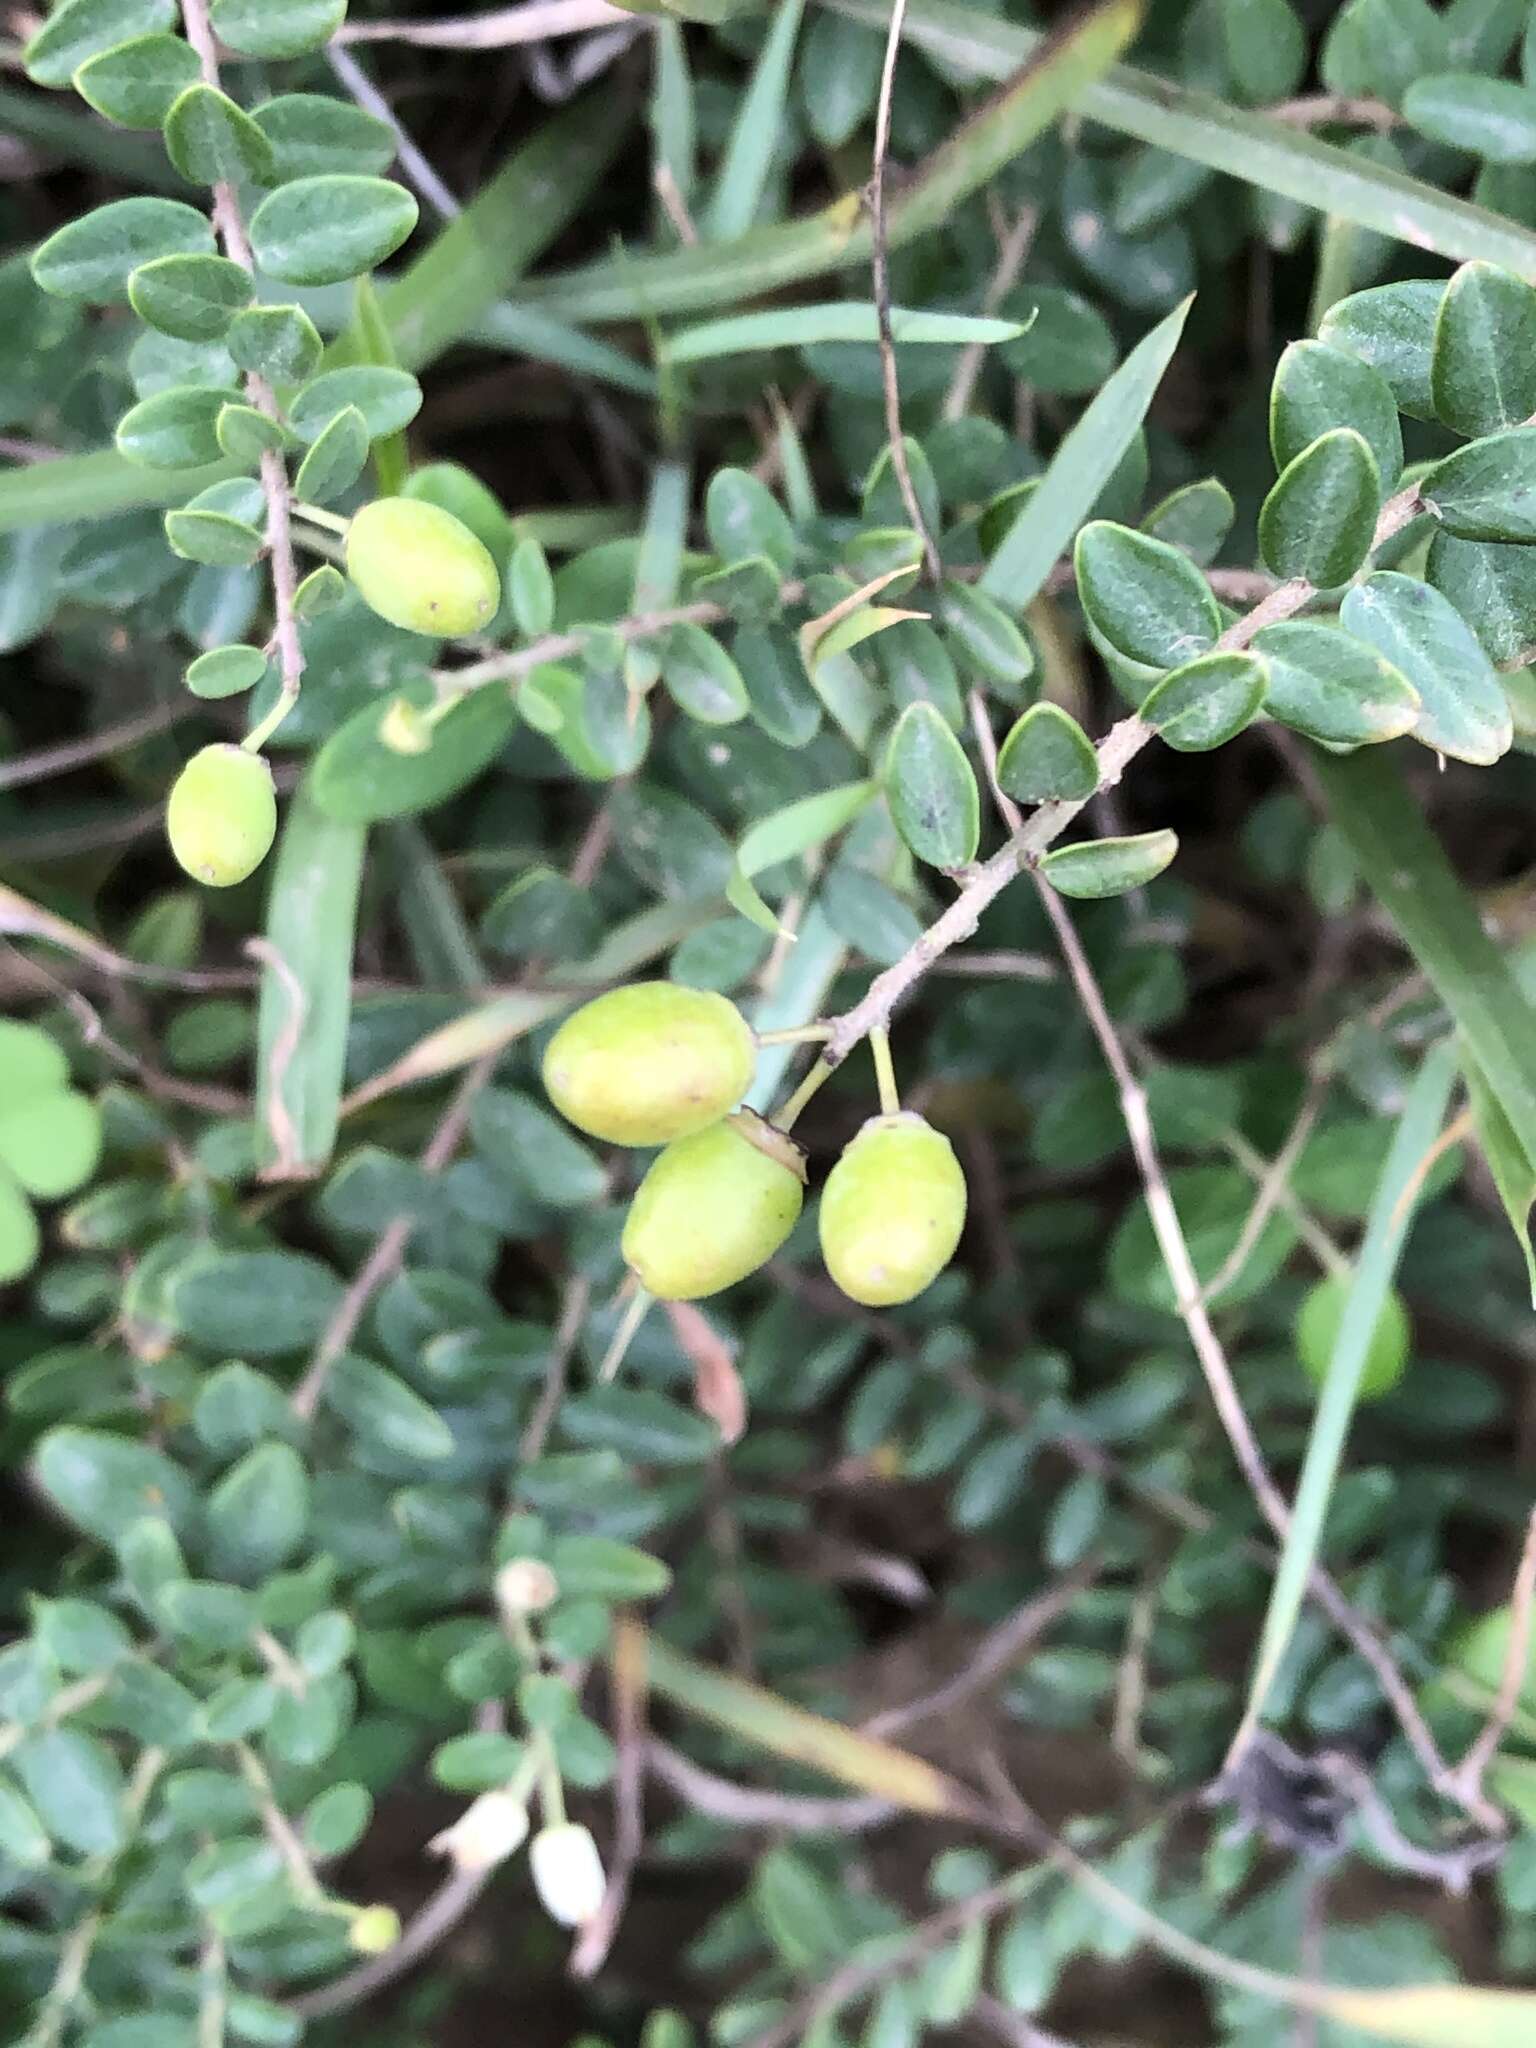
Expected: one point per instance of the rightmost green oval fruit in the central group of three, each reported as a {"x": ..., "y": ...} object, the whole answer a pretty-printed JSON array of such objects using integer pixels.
[{"x": 892, "y": 1211}]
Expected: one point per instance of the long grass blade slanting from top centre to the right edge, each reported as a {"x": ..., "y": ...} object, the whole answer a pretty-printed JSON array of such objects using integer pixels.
[{"x": 1246, "y": 146}]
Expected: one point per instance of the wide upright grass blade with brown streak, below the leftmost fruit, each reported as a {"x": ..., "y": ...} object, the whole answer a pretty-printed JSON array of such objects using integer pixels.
[{"x": 306, "y": 998}]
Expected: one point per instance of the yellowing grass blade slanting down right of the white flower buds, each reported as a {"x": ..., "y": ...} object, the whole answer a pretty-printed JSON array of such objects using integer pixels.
[{"x": 787, "y": 1732}]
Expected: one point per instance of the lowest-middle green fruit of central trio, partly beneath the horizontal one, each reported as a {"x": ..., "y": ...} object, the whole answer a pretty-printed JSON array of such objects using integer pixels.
[{"x": 714, "y": 1207}]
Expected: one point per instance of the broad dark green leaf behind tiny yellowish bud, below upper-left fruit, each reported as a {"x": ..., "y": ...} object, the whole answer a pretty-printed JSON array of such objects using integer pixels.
[{"x": 359, "y": 777}]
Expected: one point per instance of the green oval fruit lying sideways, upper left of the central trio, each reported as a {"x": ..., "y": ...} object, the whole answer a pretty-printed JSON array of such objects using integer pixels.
[{"x": 650, "y": 1064}]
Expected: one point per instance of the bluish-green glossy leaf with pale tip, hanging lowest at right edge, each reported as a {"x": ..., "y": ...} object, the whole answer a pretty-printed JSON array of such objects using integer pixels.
[{"x": 1463, "y": 712}]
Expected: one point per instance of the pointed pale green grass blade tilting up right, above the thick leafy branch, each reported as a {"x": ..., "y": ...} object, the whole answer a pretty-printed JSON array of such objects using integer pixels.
[{"x": 1080, "y": 470}]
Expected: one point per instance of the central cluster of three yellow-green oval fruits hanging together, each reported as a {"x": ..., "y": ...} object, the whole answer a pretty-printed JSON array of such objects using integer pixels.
[{"x": 658, "y": 1064}]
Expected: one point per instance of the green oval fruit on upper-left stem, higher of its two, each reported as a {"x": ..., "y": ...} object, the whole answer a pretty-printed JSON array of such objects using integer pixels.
[{"x": 421, "y": 568}]
